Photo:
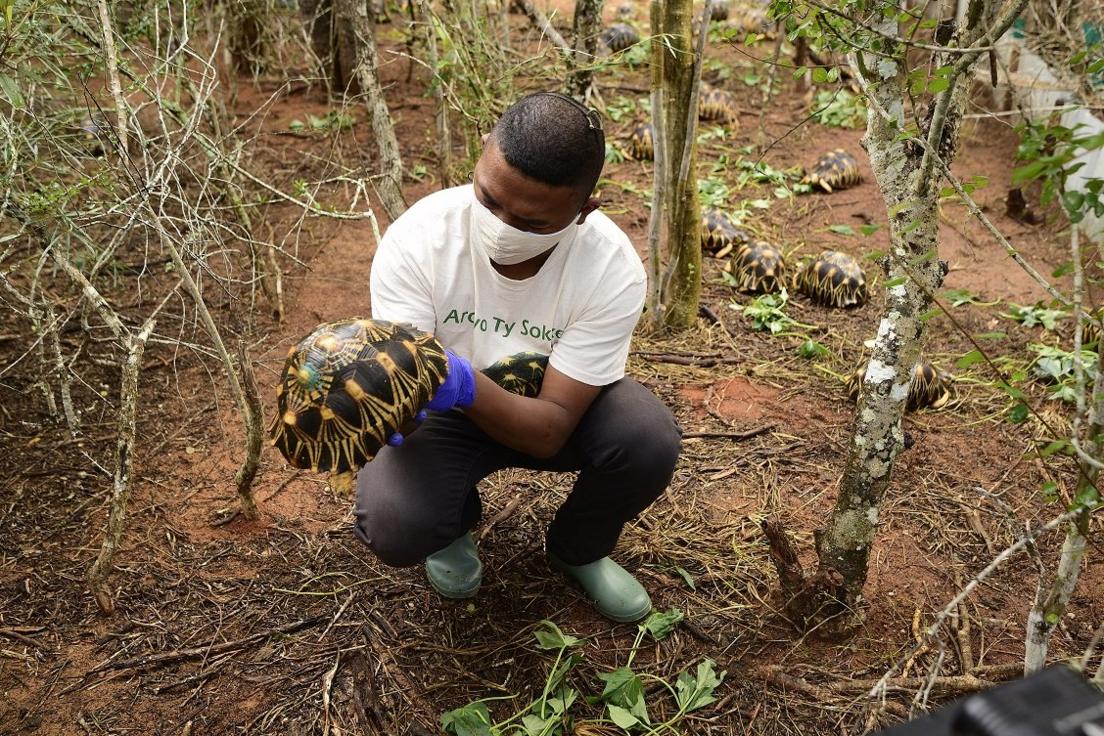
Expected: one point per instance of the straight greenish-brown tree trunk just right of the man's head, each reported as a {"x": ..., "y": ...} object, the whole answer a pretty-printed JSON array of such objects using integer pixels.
[{"x": 683, "y": 283}]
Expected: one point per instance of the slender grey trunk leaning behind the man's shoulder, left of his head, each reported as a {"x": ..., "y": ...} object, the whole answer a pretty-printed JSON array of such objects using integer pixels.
[{"x": 354, "y": 15}]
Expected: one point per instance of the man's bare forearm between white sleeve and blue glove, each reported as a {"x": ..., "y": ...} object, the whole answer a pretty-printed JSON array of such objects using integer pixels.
[{"x": 538, "y": 426}]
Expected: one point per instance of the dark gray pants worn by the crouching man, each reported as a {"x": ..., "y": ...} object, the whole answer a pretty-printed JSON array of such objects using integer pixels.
[{"x": 417, "y": 499}]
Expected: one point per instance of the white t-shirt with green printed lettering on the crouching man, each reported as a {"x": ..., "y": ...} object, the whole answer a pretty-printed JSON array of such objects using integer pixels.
[{"x": 580, "y": 310}]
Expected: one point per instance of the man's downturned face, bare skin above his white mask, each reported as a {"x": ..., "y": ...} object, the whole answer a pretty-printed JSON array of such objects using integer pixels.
[{"x": 523, "y": 202}]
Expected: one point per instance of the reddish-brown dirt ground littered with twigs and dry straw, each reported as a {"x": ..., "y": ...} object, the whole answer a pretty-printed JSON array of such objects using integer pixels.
[{"x": 289, "y": 626}]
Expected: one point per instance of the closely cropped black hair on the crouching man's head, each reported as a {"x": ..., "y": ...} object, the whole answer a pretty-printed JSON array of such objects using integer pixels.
[{"x": 554, "y": 140}]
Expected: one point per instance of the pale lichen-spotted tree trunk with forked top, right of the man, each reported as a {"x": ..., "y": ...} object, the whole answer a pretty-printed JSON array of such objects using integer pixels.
[{"x": 906, "y": 174}]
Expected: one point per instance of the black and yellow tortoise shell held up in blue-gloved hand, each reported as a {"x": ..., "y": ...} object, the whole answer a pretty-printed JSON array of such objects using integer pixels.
[{"x": 348, "y": 387}]
